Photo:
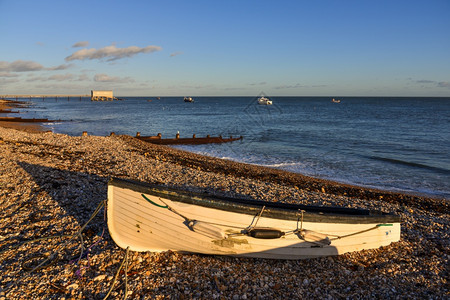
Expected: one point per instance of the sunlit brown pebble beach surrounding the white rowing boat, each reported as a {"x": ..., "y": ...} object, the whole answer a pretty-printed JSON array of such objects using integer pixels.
[{"x": 53, "y": 246}]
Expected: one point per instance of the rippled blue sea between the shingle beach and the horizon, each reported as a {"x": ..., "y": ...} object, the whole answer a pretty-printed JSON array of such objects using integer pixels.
[{"x": 390, "y": 143}]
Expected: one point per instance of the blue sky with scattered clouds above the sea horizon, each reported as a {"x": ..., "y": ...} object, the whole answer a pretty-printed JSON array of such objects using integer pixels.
[{"x": 226, "y": 48}]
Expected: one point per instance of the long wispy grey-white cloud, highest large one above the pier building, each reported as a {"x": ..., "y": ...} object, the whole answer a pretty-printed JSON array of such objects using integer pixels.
[{"x": 111, "y": 52}]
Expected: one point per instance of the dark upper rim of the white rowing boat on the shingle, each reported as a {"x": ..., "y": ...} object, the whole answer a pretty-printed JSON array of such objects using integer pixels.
[{"x": 276, "y": 210}]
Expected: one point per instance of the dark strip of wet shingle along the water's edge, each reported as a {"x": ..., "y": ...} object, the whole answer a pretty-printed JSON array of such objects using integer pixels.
[{"x": 297, "y": 180}]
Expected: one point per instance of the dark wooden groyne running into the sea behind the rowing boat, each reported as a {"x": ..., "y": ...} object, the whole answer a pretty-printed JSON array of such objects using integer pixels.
[{"x": 186, "y": 141}]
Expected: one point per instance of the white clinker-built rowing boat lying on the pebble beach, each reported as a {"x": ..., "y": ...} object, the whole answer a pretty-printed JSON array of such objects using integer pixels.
[{"x": 147, "y": 217}]
